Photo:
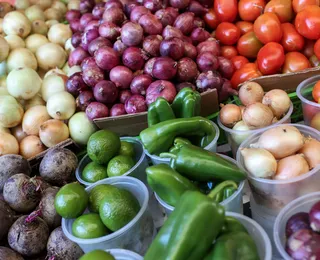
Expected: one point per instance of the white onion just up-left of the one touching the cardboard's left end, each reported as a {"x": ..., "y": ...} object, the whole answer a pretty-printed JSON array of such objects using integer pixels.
[{"x": 61, "y": 105}]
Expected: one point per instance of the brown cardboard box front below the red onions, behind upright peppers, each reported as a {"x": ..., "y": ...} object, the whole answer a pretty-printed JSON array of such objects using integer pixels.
[{"x": 133, "y": 124}]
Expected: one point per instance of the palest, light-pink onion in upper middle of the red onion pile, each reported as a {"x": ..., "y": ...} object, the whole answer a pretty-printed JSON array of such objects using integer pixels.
[{"x": 131, "y": 34}]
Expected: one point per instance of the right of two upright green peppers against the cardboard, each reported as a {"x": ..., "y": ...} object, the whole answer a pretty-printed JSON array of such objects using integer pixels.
[{"x": 187, "y": 103}]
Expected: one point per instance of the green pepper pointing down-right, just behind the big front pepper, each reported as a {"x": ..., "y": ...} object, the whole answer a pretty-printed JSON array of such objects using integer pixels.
[{"x": 167, "y": 183}]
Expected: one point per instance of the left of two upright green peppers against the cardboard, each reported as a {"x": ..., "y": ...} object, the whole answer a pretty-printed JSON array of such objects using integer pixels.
[{"x": 159, "y": 111}]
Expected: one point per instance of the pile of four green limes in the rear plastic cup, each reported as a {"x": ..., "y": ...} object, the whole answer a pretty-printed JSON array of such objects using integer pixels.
[{"x": 110, "y": 156}]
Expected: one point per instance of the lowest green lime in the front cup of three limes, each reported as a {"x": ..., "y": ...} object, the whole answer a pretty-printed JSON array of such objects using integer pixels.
[{"x": 89, "y": 226}]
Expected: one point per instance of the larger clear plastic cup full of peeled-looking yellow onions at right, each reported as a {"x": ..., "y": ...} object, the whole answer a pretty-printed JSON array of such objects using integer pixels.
[{"x": 282, "y": 164}]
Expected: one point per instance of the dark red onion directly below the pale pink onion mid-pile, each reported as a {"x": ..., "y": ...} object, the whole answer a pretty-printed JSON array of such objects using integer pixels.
[{"x": 134, "y": 58}]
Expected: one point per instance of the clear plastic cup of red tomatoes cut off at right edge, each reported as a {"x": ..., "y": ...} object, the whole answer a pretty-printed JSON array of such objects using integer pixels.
[{"x": 308, "y": 92}]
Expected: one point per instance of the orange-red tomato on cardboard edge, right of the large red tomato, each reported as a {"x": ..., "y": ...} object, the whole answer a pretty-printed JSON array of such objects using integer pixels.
[{"x": 295, "y": 61}]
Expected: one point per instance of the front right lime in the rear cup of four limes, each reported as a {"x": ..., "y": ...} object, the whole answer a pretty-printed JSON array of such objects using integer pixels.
[{"x": 119, "y": 165}]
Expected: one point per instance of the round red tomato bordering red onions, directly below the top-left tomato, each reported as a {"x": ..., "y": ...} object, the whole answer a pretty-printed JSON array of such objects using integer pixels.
[{"x": 227, "y": 33}]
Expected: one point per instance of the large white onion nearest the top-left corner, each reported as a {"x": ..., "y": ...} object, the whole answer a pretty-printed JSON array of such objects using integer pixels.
[{"x": 16, "y": 23}]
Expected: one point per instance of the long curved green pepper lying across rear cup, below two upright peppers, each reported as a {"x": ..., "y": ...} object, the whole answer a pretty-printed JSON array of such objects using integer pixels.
[{"x": 159, "y": 138}]
